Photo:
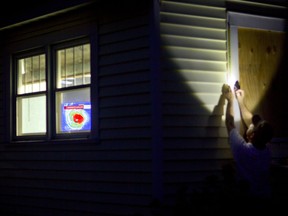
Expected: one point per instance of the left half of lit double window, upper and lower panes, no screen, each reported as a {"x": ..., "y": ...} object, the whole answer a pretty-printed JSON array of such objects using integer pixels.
[{"x": 31, "y": 97}]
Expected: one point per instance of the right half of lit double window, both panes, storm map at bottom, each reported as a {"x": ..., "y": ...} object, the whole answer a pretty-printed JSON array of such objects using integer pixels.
[{"x": 73, "y": 106}]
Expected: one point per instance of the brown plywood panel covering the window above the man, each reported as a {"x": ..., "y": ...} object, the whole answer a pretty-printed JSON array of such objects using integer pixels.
[{"x": 260, "y": 56}]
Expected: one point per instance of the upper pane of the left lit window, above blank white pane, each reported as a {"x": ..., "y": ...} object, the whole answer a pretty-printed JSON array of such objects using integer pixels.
[{"x": 31, "y": 74}]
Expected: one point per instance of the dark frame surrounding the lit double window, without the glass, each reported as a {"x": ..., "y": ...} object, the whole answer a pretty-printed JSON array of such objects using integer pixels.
[{"x": 50, "y": 52}]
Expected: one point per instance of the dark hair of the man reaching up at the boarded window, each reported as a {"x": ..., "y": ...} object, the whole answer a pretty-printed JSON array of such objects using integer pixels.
[{"x": 263, "y": 133}]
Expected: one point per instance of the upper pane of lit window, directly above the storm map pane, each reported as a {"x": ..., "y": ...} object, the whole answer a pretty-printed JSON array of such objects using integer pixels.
[{"x": 73, "y": 66}]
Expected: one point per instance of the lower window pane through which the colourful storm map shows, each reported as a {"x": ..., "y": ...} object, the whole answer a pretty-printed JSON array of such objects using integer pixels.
[{"x": 73, "y": 111}]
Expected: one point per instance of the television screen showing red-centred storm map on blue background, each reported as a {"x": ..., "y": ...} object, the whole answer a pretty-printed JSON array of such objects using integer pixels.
[{"x": 76, "y": 116}]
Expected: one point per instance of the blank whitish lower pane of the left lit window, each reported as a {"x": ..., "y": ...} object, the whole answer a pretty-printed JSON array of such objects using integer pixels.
[{"x": 31, "y": 115}]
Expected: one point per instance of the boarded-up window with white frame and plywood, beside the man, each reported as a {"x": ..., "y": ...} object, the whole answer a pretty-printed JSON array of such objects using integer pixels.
[{"x": 256, "y": 53}]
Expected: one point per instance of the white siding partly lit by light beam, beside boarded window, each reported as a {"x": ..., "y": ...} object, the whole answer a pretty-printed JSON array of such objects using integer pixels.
[{"x": 194, "y": 68}]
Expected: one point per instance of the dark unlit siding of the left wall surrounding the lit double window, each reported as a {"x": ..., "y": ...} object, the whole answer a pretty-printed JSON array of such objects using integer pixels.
[{"x": 112, "y": 176}]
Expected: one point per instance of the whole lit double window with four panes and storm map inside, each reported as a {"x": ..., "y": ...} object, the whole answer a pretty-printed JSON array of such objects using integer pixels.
[{"x": 52, "y": 92}]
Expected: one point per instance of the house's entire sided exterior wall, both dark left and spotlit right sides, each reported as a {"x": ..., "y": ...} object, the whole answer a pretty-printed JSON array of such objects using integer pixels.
[{"x": 160, "y": 68}]
